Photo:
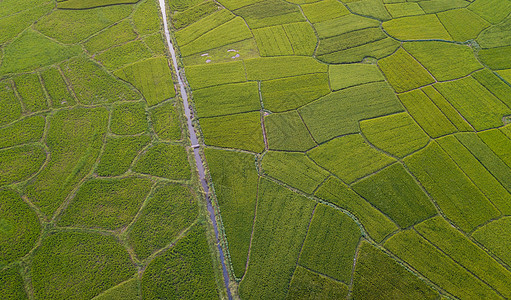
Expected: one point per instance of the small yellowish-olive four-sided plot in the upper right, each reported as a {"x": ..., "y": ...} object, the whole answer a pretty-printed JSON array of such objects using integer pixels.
[{"x": 403, "y": 72}]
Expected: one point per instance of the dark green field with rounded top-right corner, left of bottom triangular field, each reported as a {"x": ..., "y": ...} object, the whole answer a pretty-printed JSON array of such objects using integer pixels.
[{"x": 330, "y": 245}]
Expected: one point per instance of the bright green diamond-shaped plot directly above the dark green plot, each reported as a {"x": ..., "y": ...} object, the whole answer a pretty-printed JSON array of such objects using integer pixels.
[{"x": 358, "y": 159}]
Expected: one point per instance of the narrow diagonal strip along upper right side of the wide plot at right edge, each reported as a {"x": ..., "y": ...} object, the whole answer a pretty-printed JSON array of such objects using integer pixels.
[{"x": 479, "y": 175}]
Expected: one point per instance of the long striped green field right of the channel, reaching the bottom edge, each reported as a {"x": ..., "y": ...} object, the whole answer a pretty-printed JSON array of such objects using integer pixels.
[{"x": 280, "y": 228}]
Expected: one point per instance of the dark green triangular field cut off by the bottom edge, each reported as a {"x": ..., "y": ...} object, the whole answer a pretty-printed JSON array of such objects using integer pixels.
[{"x": 377, "y": 276}]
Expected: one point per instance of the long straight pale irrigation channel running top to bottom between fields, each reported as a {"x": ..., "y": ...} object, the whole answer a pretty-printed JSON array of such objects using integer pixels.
[{"x": 195, "y": 145}]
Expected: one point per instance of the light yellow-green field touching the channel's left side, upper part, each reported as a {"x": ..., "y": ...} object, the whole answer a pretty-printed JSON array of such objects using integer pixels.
[{"x": 152, "y": 77}]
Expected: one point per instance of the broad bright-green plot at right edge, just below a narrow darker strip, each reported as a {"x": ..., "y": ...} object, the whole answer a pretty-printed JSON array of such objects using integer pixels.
[{"x": 479, "y": 107}]
